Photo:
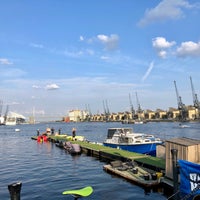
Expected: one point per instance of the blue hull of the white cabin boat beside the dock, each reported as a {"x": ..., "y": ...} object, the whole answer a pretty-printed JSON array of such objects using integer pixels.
[{"x": 149, "y": 149}]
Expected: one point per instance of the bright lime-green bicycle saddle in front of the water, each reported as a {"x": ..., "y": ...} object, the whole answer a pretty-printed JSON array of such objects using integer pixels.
[{"x": 84, "y": 192}]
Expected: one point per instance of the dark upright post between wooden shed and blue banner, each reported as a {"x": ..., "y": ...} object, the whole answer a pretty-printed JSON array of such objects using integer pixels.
[{"x": 174, "y": 153}]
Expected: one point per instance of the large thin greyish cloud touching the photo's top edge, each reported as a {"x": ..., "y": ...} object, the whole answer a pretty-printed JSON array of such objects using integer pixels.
[{"x": 166, "y": 10}]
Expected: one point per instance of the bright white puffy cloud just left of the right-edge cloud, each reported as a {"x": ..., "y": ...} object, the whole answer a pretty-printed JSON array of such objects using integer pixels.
[{"x": 161, "y": 45}]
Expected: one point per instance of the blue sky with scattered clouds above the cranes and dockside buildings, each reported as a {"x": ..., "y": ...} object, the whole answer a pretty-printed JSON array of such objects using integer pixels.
[{"x": 57, "y": 56}]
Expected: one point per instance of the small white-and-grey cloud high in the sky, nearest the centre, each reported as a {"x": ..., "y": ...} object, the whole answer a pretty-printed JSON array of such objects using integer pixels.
[{"x": 110, "y": 42}]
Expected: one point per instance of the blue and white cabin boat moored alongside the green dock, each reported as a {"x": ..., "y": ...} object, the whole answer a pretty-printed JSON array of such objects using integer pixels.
[{"x": 126, "y": 139}]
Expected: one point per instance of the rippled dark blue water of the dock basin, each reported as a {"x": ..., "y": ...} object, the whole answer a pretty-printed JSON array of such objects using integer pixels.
[{"x": 46, "y": 170}]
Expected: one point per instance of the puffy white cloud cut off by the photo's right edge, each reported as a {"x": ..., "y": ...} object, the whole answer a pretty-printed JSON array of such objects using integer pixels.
[{"x": 188, "y": 49}]
